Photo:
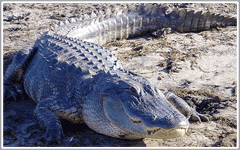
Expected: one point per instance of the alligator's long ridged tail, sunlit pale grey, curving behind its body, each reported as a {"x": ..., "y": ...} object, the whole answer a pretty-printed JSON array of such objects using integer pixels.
[{"x": 137, "y": 20}]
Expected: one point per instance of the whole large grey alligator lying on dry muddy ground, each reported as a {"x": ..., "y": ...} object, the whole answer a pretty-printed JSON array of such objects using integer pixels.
[{"x": 71, "y": 76}]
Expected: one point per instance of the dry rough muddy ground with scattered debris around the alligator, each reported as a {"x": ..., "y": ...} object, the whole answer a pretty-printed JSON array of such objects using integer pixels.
[{"x": 199, "y": 67}]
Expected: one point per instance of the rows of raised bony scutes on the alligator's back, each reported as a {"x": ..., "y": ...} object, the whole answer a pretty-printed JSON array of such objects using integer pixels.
[{"x": 84, "y": 55}]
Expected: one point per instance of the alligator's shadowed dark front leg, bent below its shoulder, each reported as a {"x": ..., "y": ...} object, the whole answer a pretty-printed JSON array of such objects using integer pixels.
[{"x": 49, "y": 121}]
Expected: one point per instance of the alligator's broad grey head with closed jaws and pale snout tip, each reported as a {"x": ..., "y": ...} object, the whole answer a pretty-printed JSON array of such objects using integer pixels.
[{"x": 130, "y": 107}]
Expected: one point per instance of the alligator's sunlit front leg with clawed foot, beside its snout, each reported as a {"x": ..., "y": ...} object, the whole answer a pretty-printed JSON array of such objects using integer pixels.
[{"x": 184, "y": 108}]
